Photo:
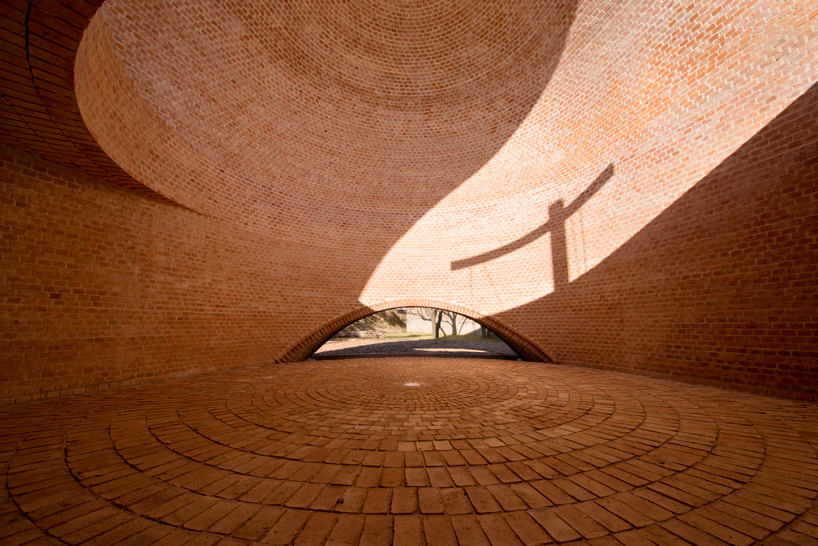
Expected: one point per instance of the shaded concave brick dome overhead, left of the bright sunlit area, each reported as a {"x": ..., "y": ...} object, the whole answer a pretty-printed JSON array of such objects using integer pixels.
[{"x": 264, "y": 112}]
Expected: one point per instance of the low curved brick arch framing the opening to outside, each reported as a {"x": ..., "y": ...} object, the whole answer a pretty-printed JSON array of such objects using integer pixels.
[{"x": 310, "y": 343}]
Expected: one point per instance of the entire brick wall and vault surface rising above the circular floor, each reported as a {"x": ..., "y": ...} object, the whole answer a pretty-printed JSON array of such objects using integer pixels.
[{"x": 623, "y": 185}]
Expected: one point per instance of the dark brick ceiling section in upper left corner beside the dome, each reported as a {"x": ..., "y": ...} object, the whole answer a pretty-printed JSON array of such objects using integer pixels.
[{"x": 39, "y": 108}]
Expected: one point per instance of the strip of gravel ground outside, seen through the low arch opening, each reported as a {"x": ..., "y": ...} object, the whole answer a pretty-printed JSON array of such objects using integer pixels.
[{"x": 418, "y": 347}]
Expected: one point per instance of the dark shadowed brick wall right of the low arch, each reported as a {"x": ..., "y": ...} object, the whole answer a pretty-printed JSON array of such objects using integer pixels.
[{"x": 721, "y": 288}]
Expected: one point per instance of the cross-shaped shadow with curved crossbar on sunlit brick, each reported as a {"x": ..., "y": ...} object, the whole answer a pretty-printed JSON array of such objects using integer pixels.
[{"x": 558, "y": 215}]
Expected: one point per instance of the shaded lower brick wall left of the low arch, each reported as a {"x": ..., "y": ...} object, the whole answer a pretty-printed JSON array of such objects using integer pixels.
[{"x": 104, "y": 287}]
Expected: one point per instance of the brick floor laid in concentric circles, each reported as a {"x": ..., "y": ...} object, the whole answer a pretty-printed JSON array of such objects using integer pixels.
[{"x": 411, "y": 451}]
